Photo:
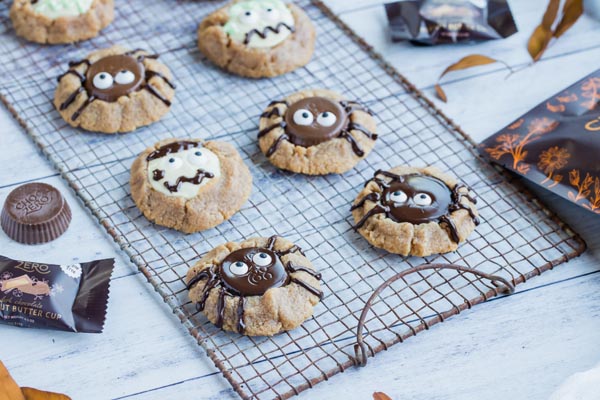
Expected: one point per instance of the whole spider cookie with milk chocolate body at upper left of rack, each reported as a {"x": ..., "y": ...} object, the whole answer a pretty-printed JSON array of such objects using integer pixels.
[{"x": 114, "y": 90}]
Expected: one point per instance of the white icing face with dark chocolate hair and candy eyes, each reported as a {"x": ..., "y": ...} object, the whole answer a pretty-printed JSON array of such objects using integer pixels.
[{"x": 180, "y": 170}]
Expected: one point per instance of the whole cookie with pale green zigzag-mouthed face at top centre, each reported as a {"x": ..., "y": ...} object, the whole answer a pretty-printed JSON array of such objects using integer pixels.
[{"x": 257, "y": 38}]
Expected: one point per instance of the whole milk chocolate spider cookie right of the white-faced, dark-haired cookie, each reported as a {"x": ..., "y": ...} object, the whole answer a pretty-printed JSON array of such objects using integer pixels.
[{"x": 316, "y": 132}]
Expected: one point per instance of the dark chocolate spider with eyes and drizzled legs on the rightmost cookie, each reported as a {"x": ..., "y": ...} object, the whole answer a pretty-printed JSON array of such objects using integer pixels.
[{"x": 416, "y": 199}]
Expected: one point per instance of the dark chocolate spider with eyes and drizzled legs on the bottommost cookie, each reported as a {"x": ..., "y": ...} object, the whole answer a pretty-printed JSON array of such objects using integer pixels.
[{"x": 240, "y": 276}]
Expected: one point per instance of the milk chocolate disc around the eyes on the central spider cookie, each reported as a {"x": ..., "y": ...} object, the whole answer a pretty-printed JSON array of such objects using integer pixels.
[{"x": 314, "y": 133}]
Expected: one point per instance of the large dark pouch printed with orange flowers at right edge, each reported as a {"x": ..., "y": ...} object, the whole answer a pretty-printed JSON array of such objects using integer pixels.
[{"x": 557, "y": 144}]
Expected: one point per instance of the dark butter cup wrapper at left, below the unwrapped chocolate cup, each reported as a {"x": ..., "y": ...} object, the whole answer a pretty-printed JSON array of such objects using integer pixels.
[{"x": 71, "y": 297}]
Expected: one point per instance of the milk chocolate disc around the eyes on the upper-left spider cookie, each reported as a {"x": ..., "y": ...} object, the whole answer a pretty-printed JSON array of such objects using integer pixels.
[{"x": 112, "y": 65}]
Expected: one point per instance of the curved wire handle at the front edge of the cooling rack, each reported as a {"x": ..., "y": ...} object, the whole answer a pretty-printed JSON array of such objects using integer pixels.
[{"x": 360, "y": 348}]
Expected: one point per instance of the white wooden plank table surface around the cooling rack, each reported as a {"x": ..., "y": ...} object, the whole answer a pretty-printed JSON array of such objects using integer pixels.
[{"x": 522, "y": 346}]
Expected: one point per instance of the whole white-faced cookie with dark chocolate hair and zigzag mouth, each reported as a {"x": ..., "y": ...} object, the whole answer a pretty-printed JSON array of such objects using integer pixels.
[{"x": 189, "y": 185}]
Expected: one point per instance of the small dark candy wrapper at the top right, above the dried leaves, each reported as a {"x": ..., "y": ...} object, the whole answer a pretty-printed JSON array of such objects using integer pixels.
[{"x": 430, "y": 22}]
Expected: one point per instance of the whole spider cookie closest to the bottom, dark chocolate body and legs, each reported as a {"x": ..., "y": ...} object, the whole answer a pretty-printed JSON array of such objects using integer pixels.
[{"x": 259, "y": 287}]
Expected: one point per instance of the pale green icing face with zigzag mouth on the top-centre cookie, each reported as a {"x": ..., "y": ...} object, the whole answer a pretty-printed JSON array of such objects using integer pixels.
[{"x": 259, "y": 23}]
